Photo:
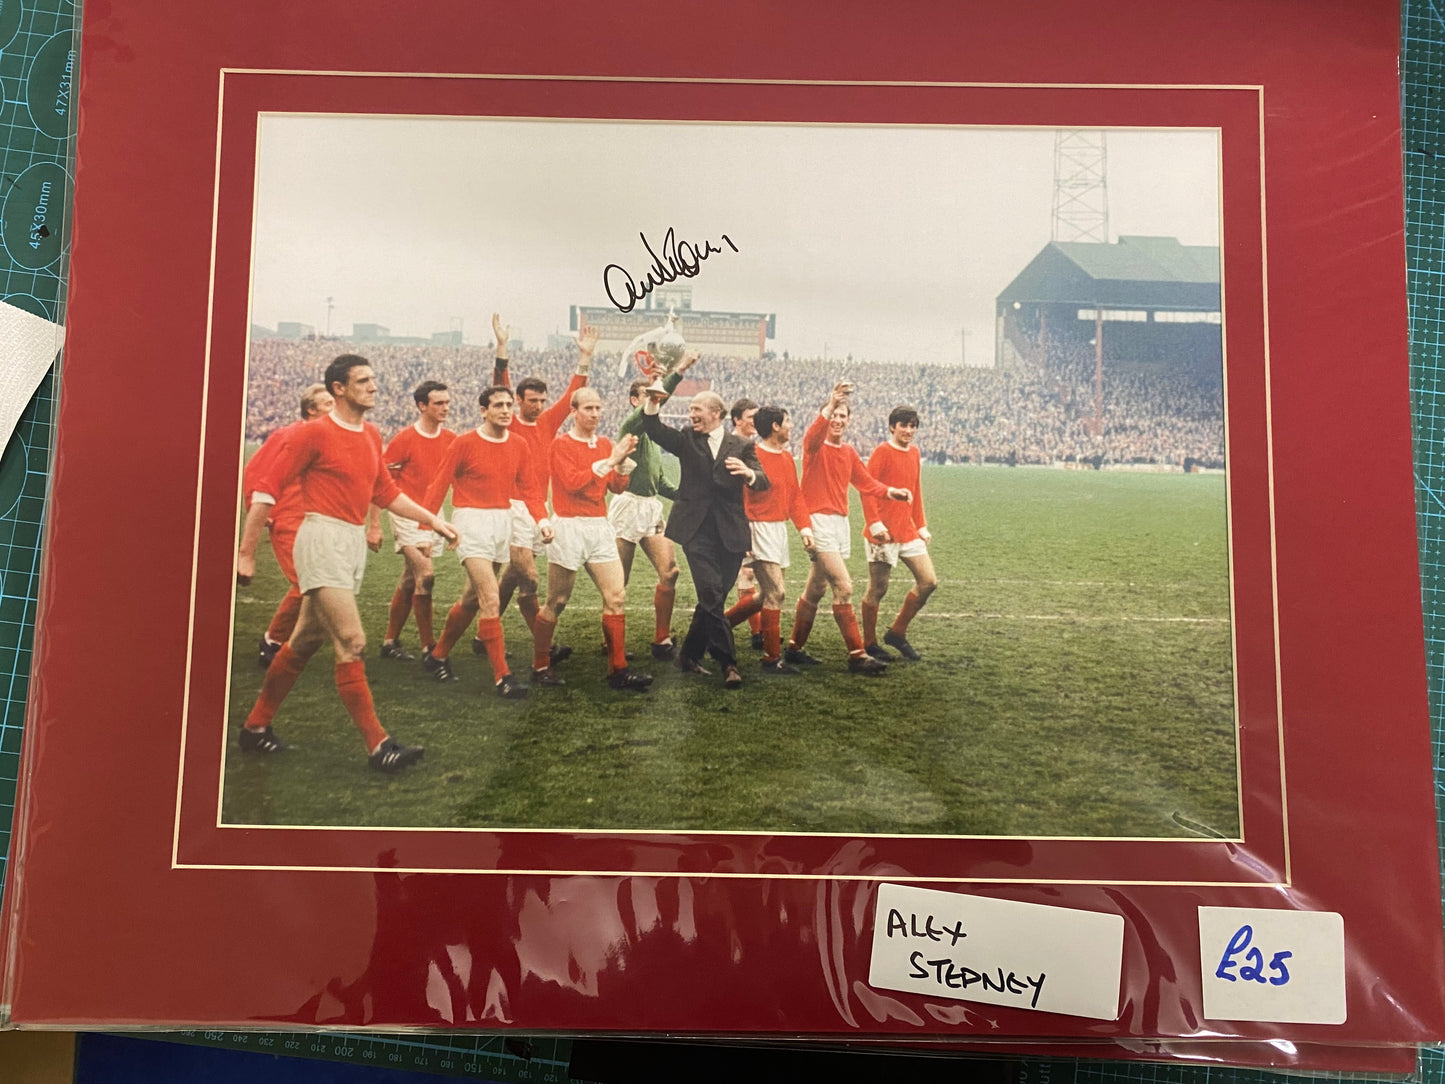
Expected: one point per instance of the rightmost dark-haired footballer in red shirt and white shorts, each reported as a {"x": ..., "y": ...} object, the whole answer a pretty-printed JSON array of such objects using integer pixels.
[{"x": 895, "y": 534}]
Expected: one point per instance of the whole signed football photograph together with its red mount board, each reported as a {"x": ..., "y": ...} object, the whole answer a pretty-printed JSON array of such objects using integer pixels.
[{"x": 1015, "y": 355}]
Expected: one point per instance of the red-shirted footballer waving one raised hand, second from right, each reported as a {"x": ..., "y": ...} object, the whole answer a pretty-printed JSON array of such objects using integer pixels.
[{"x": 830, "y": 468}]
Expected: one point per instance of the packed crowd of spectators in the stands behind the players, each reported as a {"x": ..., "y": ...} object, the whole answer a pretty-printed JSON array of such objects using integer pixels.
[{"x": 1028, "y": 414}]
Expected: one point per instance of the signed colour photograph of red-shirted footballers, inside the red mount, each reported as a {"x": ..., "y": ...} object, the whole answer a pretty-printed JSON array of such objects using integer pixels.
[{"x": 819, "y": 479}]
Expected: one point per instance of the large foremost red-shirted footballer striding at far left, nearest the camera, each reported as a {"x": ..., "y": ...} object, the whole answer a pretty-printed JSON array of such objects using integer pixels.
[{"x": 339, "y": 463}]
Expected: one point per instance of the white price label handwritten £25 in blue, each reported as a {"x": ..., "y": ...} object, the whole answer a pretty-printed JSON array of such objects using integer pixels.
[{"x": 1271, "y": 965}]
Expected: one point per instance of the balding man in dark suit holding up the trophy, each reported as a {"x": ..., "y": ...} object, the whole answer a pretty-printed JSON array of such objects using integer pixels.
[{"x": 709, "y": 521}]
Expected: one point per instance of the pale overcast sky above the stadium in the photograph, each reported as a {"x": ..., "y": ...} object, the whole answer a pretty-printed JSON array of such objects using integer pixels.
[{"x": 881, "y": 242}]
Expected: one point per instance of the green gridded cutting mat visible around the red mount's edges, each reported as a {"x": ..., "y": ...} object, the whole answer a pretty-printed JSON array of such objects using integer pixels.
[{"x": 35, "y": 40}]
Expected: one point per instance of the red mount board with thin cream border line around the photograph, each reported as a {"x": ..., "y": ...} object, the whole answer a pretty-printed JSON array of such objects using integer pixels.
[{"x": 132, "y": 903}]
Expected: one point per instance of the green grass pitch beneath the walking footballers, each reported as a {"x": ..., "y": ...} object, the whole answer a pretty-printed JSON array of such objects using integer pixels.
[{"x": 1077, "y": 681}]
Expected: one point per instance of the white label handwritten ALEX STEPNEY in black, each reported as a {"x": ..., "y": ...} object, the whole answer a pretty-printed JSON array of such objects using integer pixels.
[{"x": 1027, "y": 956}]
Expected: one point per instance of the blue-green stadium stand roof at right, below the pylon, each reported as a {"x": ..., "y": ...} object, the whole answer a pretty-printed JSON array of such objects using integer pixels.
[{"x": 1135, "y": 272}]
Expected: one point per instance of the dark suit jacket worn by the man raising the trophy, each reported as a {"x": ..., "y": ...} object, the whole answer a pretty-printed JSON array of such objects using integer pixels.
[{"x": 707, "y": 486}]
